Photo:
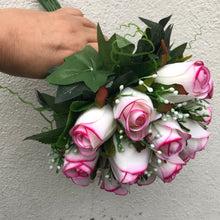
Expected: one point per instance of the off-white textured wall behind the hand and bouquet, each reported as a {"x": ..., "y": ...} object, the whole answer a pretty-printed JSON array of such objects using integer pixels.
[{"x": 29, "y": 190}]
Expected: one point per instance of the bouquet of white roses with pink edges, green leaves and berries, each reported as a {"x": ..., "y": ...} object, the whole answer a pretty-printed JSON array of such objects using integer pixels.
[{"x": 128, "y": 113}]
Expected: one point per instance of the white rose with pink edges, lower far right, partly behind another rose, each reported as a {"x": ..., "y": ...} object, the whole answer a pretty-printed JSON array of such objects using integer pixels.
[{"x": 197, "y": 142}]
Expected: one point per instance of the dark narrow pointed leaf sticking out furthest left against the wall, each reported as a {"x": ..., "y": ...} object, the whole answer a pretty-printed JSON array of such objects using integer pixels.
[{"x": 49, "y": 137}]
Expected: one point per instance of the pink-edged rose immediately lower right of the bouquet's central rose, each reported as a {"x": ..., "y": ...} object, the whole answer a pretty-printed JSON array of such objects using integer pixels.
[{"x": 167, "y": 137}]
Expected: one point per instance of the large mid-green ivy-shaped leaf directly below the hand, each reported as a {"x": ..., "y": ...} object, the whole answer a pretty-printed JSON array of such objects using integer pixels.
[{"x": 86, "y": 66}]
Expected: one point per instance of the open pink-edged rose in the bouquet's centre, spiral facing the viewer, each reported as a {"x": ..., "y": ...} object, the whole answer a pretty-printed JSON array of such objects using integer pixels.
[{"x": 134, "y": 112}]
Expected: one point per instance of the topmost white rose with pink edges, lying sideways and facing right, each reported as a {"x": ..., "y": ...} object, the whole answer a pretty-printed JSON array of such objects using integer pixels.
[{"x": 193, "y": 76}]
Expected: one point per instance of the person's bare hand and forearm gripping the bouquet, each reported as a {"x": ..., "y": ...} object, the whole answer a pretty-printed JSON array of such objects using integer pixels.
[{"x": 33, "y": 41}]
